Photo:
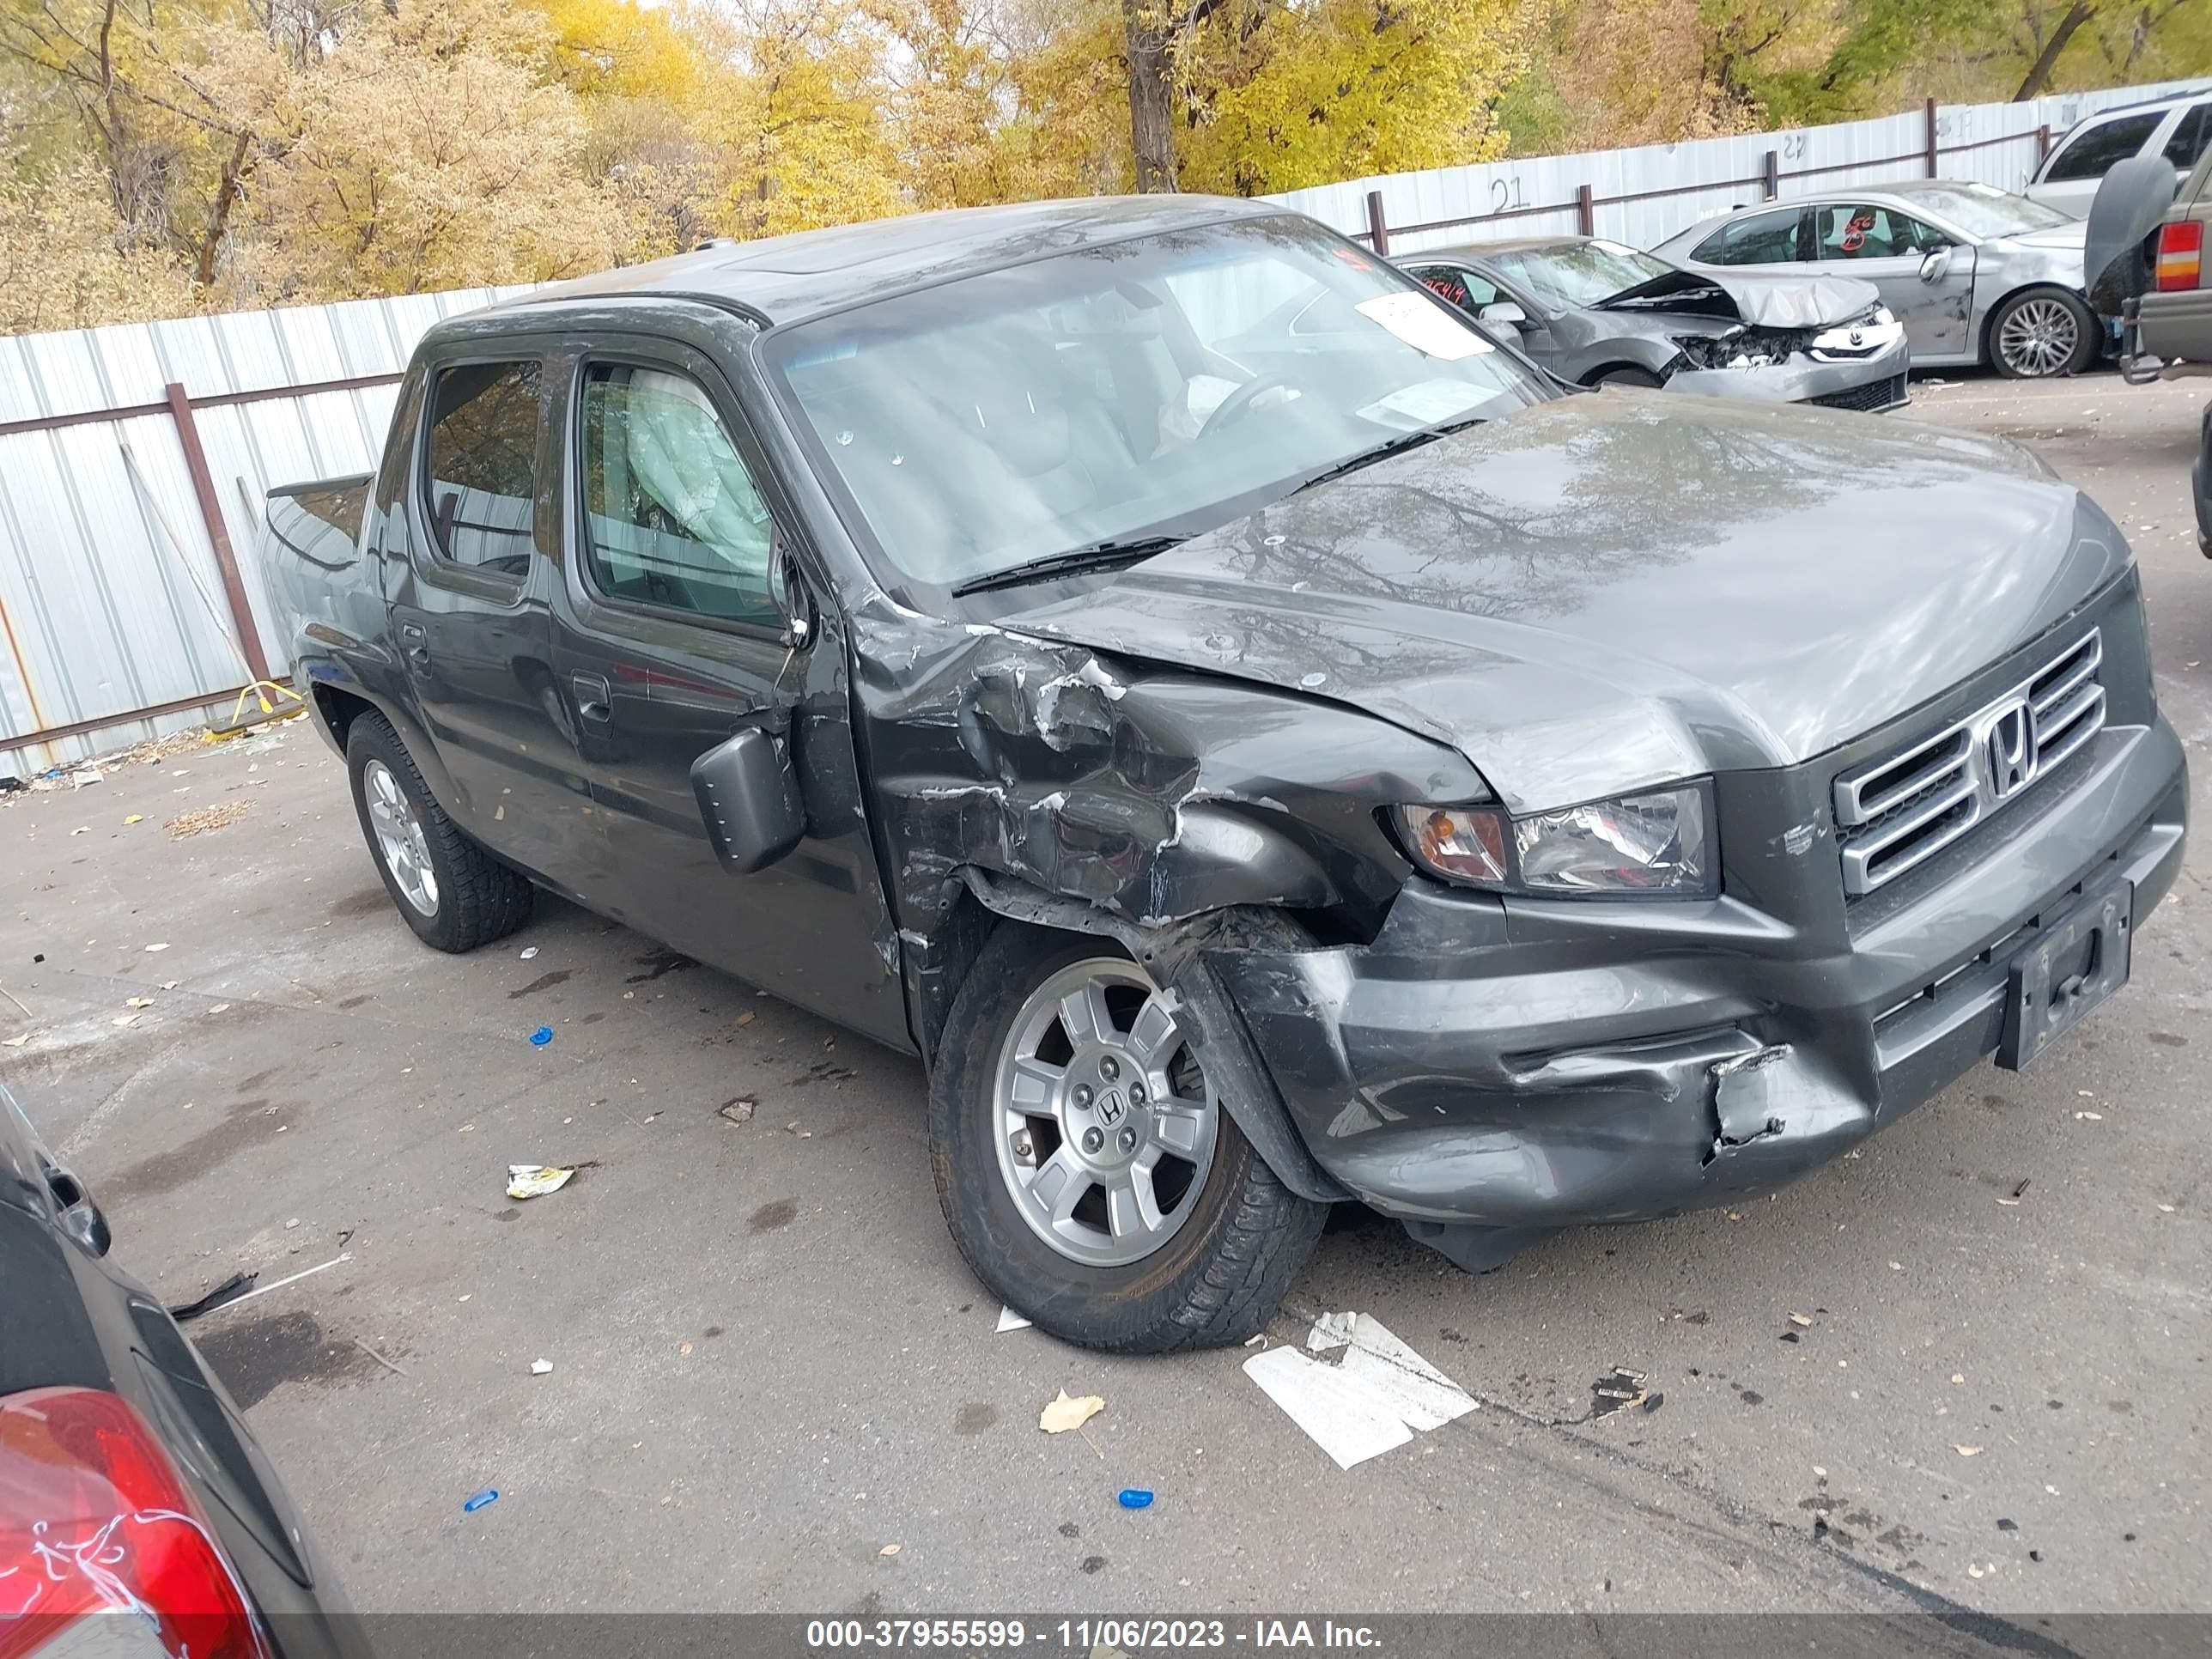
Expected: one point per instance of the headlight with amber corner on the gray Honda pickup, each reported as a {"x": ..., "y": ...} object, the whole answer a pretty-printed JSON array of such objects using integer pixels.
[{"x": 1656, "y": 844}]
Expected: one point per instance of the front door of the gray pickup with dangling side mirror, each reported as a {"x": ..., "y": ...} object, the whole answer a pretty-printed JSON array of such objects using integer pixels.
[{"x": 669, "y": 640}]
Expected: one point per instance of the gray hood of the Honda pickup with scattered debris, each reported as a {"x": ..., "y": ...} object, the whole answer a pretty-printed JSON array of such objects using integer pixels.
[{"x": 1616, "y": 592}]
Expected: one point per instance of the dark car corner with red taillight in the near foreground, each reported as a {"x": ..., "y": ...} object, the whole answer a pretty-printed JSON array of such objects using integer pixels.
[{"x": 138, "y": 1519}]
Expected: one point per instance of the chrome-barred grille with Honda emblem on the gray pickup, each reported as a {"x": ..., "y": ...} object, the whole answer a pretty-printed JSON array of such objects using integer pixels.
[{"x": 1901, "y": 813}]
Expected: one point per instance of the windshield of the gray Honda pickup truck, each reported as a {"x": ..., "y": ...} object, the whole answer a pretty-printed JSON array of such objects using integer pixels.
[{"x": 1142, "y": 388}]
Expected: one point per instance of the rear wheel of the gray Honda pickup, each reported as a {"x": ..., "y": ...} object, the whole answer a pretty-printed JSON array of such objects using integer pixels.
[{"x": 446, "y": 888}]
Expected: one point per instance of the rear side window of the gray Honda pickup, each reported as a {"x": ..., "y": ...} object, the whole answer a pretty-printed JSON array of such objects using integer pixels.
[{"x": 481, "y": 468}]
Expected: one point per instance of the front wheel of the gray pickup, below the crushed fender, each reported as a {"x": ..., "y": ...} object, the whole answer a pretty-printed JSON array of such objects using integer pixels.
[{"x": 1087, "y": 1167}]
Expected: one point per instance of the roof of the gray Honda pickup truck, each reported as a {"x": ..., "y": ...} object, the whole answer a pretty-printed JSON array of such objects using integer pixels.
[{"x": 786, "y": 280}]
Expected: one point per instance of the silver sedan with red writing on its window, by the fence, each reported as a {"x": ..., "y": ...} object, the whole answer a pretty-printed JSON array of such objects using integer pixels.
[{"x": 1974, "y": 273}]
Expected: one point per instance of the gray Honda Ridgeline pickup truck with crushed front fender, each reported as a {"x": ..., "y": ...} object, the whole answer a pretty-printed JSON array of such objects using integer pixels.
[{"x": 1246, "y": 729}]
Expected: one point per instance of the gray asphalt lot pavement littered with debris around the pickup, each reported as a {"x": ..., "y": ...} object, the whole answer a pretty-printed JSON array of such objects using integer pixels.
[{"x": 1954, "y": 1370}]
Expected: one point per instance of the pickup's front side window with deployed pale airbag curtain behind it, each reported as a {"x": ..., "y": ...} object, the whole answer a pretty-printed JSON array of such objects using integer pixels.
[{"x": 671, "y": 514}]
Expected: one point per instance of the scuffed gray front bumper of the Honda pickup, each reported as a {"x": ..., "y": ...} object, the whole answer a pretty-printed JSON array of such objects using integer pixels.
[{"x": 1538, "y": 1065}]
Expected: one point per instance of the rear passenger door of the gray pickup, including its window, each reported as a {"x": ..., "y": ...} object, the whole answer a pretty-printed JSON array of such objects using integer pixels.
[{"x": 470, "y": 607}]
